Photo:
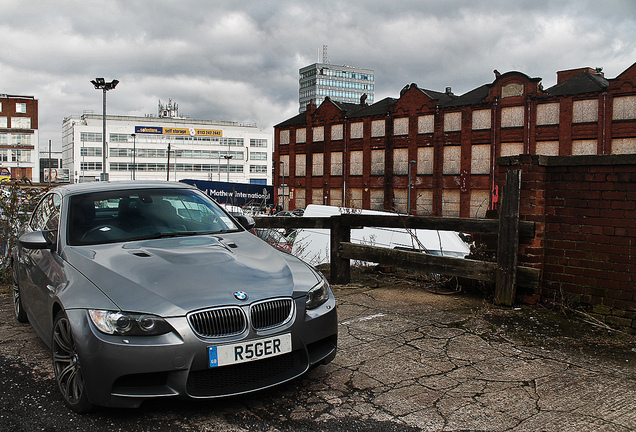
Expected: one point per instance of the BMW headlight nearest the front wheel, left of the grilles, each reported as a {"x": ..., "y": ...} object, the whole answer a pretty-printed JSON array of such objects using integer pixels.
[{"x": 128, "y": 324}]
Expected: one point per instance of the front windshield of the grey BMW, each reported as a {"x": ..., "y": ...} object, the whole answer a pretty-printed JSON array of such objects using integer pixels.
[{"x": 126, "y": 215}]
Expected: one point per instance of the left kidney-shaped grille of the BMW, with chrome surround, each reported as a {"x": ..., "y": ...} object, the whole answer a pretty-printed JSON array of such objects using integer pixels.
[{"x": 218, "y": 322}]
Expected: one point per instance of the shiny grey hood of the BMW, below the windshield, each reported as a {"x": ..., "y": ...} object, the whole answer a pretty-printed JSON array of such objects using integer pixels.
[{"x": 172, "y": 276}]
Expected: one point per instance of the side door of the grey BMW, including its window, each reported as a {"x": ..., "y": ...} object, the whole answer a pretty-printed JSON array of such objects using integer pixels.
[{"x": 42, "y": 267}]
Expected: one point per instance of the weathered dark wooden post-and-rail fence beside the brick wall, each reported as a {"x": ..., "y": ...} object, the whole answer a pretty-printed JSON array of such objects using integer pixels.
[{"x": 504, "y": 273}]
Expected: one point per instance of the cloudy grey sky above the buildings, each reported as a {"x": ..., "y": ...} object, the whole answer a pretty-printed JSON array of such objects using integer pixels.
[{"x": 238, "y": 60}]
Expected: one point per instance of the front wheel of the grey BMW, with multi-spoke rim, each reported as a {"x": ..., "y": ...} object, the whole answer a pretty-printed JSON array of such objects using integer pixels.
[{"x": 67, "y": 366}]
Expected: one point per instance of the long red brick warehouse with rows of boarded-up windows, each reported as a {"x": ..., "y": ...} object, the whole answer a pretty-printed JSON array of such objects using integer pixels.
[{"x": 360, "y": 156}]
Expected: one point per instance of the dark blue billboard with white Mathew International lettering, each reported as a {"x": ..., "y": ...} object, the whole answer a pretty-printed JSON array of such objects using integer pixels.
[{"x": 238, "y": 194}]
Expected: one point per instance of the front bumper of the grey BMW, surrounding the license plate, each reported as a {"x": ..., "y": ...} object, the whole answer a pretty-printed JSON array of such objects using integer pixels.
[{"x": 124, "y": 371}]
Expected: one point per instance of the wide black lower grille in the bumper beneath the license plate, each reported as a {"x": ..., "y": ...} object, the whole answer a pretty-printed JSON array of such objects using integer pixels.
[{"x": 245, "y": 377}]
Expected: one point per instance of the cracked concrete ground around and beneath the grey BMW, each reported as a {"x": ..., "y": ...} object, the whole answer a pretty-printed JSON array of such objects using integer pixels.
[{"x": 408, "y": 360}]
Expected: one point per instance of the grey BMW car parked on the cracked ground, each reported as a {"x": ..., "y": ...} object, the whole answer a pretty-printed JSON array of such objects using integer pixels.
[{"x": 150, "y": 289}]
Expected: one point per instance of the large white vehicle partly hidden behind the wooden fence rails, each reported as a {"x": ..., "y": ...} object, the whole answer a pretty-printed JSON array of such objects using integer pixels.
[{"x": 312, "y": 245}]
